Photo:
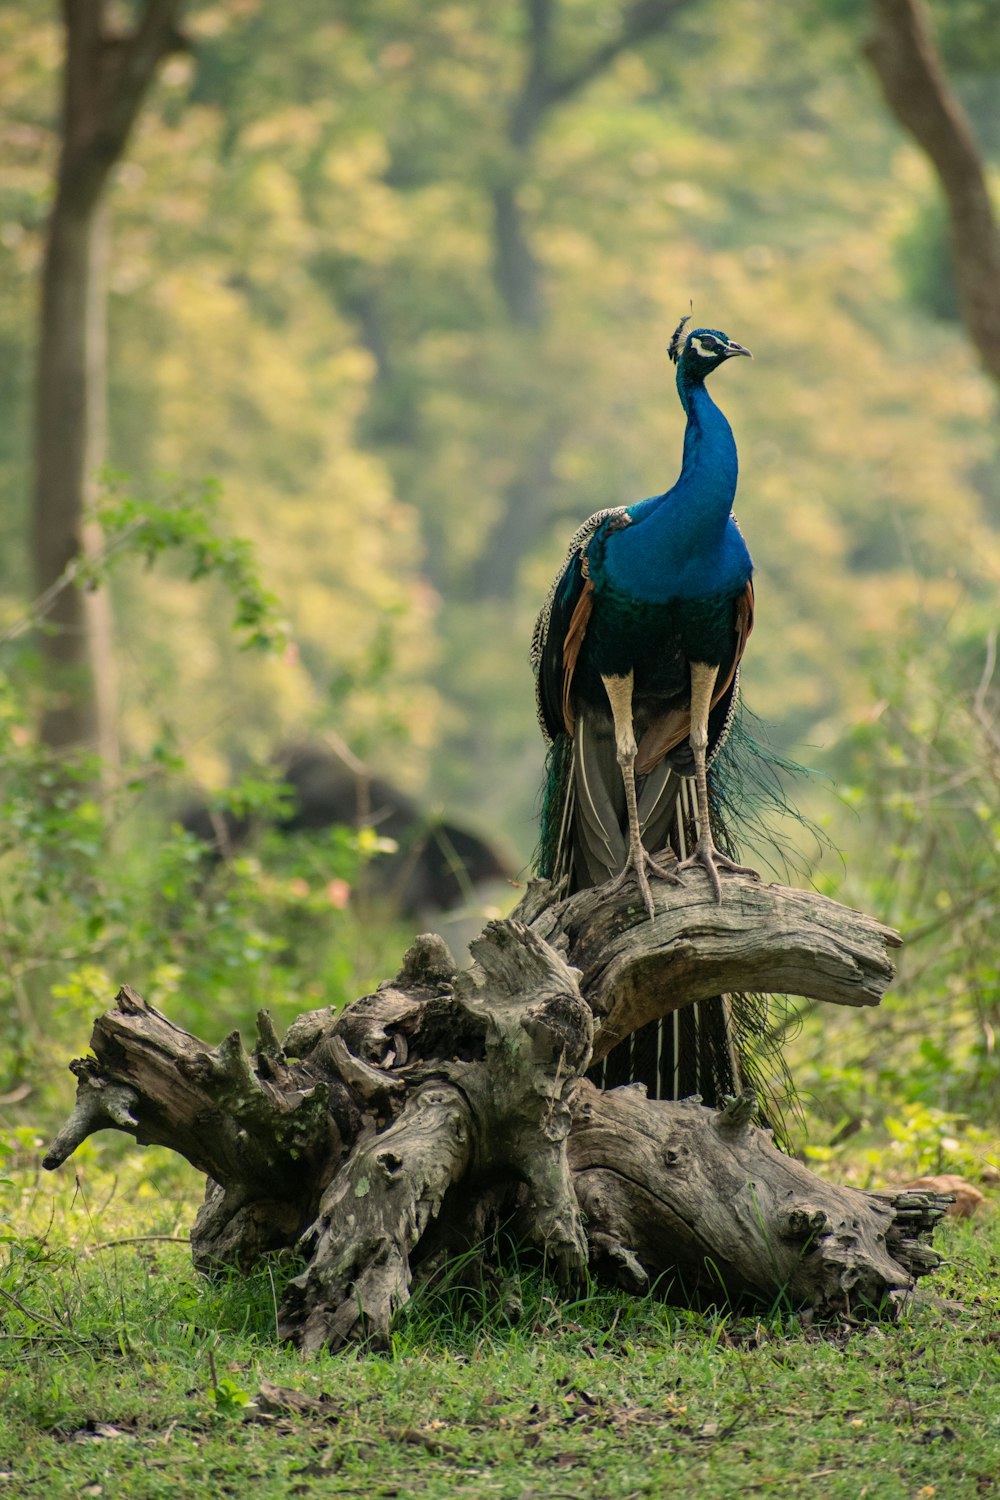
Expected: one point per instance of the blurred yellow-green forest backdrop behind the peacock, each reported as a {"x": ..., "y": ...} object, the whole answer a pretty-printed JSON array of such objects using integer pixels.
[{"x": 401, "y": 278}]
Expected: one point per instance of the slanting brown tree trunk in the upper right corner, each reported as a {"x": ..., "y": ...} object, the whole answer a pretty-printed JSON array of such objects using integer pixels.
[{"x": 915, "y": 85}]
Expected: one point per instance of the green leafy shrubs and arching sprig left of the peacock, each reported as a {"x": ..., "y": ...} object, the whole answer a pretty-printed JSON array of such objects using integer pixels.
[{"x": 97, "y": 887}]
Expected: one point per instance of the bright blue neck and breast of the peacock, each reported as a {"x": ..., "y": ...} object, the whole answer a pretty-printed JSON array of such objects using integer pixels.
[{"x": 680, "y": 542}]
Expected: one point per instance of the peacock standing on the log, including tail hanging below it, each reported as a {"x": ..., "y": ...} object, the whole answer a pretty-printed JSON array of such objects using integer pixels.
[{"x": 636, "y": 656}]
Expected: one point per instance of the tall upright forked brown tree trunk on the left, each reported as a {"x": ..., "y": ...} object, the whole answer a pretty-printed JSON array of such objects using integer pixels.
[{"x": 106, "y": 80}]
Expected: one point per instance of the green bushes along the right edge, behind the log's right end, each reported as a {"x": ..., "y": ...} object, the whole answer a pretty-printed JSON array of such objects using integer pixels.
[{"x": 923, "y": 775}]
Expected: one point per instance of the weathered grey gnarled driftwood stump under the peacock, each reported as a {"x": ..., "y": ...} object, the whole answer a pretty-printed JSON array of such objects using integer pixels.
[{"x": 389, "y": 1136}]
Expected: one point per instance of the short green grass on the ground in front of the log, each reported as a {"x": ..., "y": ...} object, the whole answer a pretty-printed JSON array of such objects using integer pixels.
[{"x": 125, "y": 1375}]
